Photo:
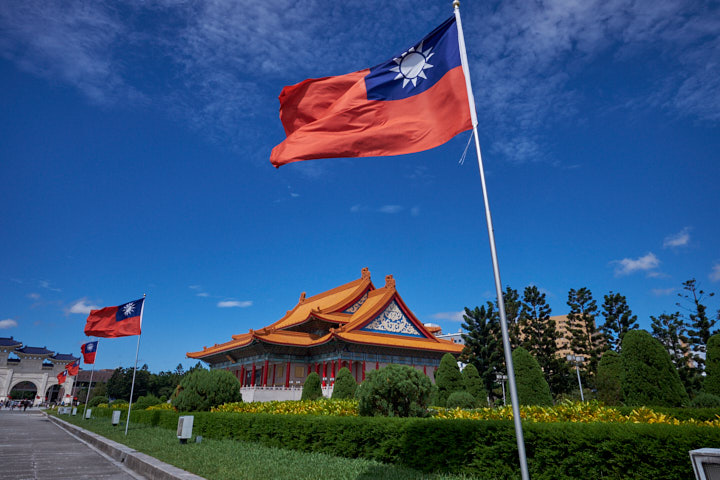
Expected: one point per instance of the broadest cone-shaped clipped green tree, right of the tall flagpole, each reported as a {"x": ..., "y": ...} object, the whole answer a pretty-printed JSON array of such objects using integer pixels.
[{"x": 649, "y": 376}]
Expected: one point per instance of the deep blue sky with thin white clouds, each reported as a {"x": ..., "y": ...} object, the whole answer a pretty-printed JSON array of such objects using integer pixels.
[{"x": 135, "y": 138}]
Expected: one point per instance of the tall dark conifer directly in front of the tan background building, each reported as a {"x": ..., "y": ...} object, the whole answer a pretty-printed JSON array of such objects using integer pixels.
[{"x": 582, "y": 335}]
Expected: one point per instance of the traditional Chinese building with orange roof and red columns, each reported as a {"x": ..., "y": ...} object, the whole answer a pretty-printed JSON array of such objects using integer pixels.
[{"x": 354, "y": 325}]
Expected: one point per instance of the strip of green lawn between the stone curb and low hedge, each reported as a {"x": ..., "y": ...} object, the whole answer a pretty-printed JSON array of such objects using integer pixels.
[{"x": 231, "y": 460}]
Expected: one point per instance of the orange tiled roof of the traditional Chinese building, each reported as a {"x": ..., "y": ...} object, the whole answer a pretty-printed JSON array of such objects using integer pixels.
[{"x": 330, "y": 306}]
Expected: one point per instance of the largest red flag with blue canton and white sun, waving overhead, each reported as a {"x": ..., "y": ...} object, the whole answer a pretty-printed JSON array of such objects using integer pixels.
[{"x": 413, "y": 102}]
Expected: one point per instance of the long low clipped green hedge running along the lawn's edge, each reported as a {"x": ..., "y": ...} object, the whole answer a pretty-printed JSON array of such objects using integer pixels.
[{"x": 483, "y": 449}]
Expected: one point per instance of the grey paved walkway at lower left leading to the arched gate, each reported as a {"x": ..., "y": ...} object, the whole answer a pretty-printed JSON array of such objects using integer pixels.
[{"x": 31, "y": 447}]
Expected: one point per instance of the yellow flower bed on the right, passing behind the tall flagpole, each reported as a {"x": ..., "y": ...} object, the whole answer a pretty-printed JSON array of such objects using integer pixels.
[{"x": 571, "y": 412}]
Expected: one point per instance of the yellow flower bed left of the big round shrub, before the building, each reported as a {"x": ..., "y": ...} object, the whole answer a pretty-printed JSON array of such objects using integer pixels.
[{"x": 340, "y": 408}]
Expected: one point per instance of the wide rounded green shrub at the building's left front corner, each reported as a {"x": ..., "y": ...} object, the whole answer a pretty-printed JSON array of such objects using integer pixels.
[{"x": 203, "y": 389}]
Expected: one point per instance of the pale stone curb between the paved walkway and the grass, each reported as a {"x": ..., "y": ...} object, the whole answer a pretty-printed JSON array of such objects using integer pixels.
[{"x": 138, "y": 462}]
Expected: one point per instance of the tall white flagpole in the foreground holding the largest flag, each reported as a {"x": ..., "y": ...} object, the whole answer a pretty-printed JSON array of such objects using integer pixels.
[{"x": 493, "y": 252}]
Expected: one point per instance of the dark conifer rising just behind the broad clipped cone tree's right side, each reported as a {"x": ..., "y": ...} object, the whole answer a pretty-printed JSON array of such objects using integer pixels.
[{"x": 671, "y": 332}]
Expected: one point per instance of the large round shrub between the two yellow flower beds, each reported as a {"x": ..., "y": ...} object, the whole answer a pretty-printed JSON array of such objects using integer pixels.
[{"x": 394, "y": 391}]
